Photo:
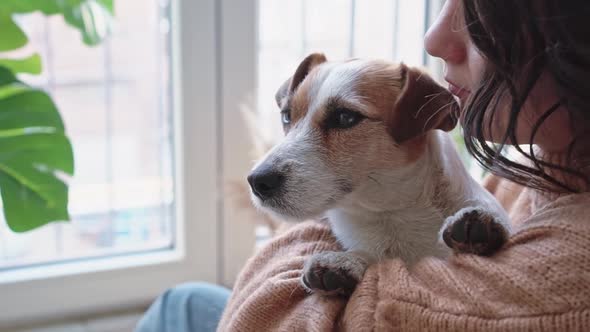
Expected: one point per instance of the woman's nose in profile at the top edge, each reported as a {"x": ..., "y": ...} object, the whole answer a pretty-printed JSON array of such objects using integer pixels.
[{"x": 445, "y": 39}]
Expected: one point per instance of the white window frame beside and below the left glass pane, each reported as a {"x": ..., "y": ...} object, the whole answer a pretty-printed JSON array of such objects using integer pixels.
[{"x": 209, "y": 84}]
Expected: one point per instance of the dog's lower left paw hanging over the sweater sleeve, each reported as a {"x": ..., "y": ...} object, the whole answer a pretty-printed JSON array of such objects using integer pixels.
[{"x": 333, "y": 273}]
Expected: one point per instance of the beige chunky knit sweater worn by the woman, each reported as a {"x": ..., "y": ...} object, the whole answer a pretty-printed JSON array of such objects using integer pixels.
[{"x": 540, "y": 281}]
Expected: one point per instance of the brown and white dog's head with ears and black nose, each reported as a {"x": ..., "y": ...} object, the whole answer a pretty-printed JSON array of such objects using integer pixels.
[{"x": 347, "y": 126}]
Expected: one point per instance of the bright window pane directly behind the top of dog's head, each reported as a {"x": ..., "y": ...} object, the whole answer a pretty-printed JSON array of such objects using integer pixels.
[{"x": 290, "y": 30}]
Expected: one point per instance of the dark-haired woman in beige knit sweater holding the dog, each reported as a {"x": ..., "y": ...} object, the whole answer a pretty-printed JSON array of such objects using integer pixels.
[{"x": 520, "y": 69}]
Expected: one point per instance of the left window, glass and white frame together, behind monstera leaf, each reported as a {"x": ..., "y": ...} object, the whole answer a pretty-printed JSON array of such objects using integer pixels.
[{"x": 142, "y": 114}]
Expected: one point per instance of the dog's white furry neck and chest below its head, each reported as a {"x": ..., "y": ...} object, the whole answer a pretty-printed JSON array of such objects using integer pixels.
[{"x": 401, "y": 217}]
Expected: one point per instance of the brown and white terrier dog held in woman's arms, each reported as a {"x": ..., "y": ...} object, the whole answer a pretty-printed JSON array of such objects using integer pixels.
[{"x": 366, "y": 147}]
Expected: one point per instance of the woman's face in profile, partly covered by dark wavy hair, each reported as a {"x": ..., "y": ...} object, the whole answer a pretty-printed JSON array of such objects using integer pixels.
[{"x": 448, "y": 39}]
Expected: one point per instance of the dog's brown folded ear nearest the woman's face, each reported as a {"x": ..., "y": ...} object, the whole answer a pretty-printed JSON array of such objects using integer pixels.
[{"x": 422, "y": 105}]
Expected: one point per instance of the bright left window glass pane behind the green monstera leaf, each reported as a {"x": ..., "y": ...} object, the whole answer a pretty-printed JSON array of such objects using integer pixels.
[{"x": 115, "y": 101}]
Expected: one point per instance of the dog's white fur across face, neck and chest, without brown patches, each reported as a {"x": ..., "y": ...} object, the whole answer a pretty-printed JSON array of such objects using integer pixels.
[{"x": 393, "y": 208}]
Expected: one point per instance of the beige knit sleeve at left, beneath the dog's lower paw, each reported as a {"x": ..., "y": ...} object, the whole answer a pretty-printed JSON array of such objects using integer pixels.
[{"x": 268, "y": 295}]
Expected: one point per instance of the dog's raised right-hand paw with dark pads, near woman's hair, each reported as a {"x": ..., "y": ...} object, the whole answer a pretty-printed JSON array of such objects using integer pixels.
[{"x": 476, "y": 231}]
